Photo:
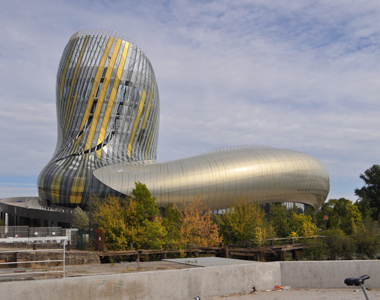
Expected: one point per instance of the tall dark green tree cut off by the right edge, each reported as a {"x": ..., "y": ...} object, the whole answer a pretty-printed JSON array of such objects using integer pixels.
[{"x": 369, "y": 194}]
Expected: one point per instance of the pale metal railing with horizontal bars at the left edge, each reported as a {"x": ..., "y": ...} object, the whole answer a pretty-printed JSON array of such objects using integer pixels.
[{"x": 57, "y": 239}]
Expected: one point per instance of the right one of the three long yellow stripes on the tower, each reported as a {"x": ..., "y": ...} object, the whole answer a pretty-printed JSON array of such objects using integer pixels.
[{"x": 115, "y": 87}]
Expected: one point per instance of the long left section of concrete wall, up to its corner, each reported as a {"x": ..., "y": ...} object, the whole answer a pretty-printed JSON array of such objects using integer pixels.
[{"x": 170, "y": 284}]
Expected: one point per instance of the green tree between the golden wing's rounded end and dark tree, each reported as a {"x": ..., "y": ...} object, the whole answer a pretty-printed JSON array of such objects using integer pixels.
[{"x": 341, "y": 214}]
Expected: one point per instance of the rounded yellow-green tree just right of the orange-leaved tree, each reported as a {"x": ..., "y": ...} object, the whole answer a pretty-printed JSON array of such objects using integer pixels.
[{"x": 243, "y": 221}]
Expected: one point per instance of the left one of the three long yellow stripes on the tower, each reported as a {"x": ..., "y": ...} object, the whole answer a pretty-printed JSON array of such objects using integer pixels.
[{"x": 94, "y": 89}]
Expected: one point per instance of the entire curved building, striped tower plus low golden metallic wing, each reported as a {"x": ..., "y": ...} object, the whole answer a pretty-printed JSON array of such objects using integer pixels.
[{"x": 108, "y": 115}]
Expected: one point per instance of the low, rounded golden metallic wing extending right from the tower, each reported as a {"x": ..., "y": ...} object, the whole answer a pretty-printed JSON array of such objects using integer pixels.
[{"x": 261, "y": 174}]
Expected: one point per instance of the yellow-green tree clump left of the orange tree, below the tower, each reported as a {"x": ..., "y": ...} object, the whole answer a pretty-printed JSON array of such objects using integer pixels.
[{"x": 135, "y": 219}]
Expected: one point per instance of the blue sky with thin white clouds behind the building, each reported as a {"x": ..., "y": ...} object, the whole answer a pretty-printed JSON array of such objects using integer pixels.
[{"x": 301, "y": 75}]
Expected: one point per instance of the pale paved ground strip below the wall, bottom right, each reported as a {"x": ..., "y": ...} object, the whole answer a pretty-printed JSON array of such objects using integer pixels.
[{"x": 304, "y": 294}]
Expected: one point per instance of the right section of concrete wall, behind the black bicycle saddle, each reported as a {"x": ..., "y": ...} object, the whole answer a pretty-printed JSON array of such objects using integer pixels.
[{"x": 328, "y": 274}]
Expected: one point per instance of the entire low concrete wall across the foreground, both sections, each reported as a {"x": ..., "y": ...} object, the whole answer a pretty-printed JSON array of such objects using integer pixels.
[{"x": 189, "y": 283}]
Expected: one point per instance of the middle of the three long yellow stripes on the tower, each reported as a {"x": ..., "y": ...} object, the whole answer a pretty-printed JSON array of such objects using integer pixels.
[{"x": 102, "y": 95}]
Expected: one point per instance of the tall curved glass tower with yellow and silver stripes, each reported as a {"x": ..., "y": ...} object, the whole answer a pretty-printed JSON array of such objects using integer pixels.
[{"x": 107, "y": 112}]
